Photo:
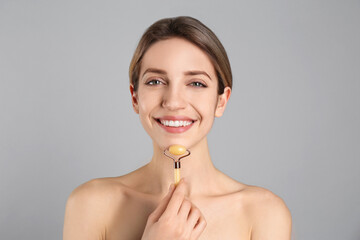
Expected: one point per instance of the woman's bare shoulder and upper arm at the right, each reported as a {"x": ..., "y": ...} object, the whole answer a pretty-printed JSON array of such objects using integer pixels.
[{"x": 270, "y": 217}]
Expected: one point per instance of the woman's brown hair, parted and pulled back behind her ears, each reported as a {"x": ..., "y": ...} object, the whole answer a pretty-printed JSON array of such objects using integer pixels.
[{"x": 189, "y": 29}]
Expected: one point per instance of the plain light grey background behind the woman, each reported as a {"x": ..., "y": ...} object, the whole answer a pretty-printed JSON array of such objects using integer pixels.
[{"x": 292, "y": 124}]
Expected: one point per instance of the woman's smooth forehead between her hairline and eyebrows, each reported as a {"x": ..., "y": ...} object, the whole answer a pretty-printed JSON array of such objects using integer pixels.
[{"x": 176, "y": 55}]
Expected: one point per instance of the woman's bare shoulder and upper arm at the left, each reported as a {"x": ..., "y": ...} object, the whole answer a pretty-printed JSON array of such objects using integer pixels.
[{"x": 89, "y": 208}]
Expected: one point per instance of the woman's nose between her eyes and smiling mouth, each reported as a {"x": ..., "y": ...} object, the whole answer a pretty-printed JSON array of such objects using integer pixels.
[{"x": 173, "y": 99}]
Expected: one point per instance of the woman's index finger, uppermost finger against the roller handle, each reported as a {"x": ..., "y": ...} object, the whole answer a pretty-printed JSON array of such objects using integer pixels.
[{"x": 176, "y": 200}]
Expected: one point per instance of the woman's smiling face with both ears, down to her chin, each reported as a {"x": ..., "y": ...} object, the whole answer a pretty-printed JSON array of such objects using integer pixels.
[{"x": 177, "y": 96}]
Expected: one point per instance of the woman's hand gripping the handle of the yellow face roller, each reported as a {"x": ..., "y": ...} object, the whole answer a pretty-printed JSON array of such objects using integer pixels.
[{"x": 175, "y": 217}]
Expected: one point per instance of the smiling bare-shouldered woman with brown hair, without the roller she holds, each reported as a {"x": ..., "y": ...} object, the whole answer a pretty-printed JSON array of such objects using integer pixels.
[{"x": 180, "y": 80}]
